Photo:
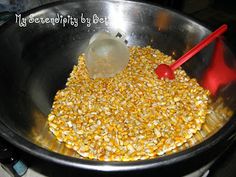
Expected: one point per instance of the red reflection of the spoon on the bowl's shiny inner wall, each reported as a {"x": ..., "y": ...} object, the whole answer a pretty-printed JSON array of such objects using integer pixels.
[{"x": 218, "y": 73}]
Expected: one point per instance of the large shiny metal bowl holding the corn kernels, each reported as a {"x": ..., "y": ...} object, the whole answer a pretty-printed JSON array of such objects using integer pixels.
[{"x": 37, "y": 59}]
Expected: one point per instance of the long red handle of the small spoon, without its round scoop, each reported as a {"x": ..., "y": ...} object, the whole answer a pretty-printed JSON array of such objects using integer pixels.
[{"x": 199, "y": 47}]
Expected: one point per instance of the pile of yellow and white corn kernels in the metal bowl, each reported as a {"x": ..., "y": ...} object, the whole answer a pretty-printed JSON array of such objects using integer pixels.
[{"x": 131, "y": 116}]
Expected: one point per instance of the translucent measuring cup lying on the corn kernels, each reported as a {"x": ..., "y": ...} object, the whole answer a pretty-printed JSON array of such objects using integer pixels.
[{"x": 106, "y": 55}]
